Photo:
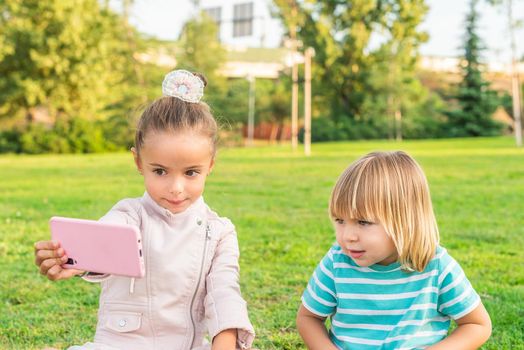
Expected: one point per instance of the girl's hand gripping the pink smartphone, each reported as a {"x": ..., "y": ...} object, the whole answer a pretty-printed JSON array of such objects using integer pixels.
[{"x": 49, "y": 257}]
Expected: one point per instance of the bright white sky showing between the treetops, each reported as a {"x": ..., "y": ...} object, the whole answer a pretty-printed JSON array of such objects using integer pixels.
[{"x": 444, "y": 24}]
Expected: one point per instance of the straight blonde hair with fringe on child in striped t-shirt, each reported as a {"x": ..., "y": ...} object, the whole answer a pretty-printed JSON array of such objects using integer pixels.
[{"x": 390, "y": 188}]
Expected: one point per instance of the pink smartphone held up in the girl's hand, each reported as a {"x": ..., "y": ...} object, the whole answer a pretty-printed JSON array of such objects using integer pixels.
[{"x": 99, "y": 247}]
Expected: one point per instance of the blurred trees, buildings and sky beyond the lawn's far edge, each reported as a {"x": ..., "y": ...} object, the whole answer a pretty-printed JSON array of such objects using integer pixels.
[{"x": 74, "y": 75}]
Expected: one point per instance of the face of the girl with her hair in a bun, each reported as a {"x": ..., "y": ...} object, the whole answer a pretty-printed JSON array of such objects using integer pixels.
[{"x": 175, "y": 166}]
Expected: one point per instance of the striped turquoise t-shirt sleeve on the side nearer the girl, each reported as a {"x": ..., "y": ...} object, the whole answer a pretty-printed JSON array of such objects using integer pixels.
[{"x": 320, "y": 295}]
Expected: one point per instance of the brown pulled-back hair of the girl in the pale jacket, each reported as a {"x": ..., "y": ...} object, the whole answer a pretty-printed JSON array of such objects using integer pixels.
[{"x": 173, "y": 114}]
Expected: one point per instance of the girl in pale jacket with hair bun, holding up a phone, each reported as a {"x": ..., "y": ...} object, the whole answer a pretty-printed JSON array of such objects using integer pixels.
[{"x": 191, "y": 254}]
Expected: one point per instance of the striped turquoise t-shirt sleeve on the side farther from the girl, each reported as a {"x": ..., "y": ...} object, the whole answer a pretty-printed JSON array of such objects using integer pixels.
[{"x": 456, "y": 297}]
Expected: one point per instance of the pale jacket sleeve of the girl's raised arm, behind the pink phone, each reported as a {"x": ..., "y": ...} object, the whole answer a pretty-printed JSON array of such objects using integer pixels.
[{"x": 124, "y": 212}]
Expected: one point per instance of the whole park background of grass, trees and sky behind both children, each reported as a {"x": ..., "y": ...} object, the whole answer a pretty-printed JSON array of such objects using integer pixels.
[{"x": 75, "y": 75}]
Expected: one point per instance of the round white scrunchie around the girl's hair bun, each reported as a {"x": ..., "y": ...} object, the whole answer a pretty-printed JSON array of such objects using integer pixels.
[{"x": 183, "y": 85}]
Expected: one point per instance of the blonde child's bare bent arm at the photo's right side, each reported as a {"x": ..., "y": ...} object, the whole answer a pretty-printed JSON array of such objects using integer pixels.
[{"x": 472, "y": 331}]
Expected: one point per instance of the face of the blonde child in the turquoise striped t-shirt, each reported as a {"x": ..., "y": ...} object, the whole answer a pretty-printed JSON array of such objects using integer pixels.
[{"x": 367, "y": 243}]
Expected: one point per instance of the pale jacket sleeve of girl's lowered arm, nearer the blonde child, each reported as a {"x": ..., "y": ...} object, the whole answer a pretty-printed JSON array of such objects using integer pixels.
[{"x": 224, "y": 306}]
